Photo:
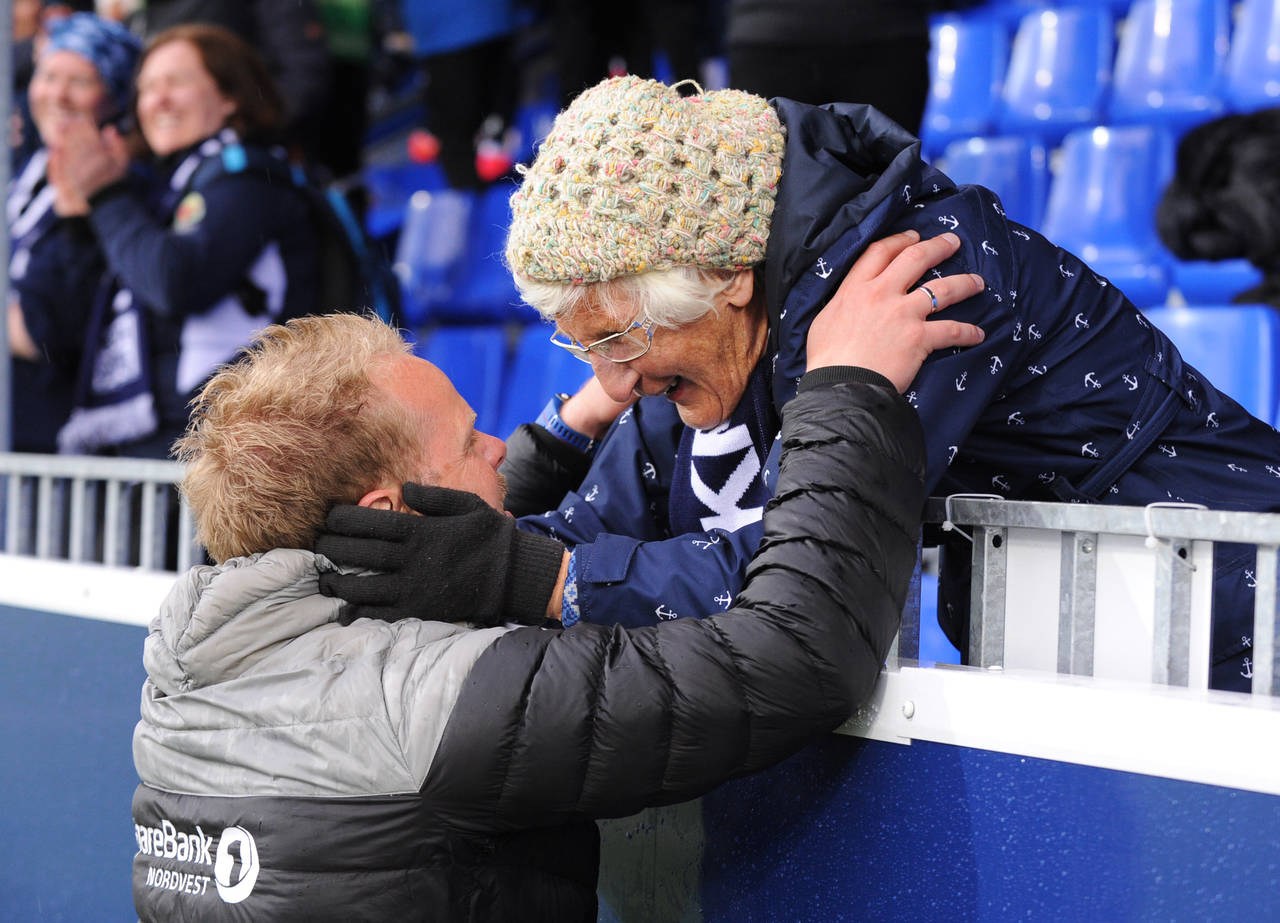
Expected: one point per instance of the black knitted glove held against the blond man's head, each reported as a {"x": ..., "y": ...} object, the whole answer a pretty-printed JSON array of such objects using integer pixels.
[{"x": 460, "y": 561}]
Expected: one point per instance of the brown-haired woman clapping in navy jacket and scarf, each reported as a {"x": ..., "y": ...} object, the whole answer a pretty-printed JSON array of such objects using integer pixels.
[{"x": 216, "y": 249}]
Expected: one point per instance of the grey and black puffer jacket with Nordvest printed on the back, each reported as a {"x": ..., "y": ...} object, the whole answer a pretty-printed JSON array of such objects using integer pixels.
[{"x": 300, "y": 779}]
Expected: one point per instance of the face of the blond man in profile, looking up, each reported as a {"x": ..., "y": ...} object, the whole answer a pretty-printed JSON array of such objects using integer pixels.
[{"x": 452, "y": 453}]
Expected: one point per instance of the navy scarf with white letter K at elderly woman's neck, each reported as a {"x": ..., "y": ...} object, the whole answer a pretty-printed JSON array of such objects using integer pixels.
[{"x": 717, "y": 482}]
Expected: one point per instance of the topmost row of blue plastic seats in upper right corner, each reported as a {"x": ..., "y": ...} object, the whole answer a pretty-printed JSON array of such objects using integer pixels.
[{"x": 1176, "y": 63}]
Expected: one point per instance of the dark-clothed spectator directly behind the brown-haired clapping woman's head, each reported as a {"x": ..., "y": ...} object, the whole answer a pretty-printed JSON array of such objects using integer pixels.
[{"x": 289, "y": 35}]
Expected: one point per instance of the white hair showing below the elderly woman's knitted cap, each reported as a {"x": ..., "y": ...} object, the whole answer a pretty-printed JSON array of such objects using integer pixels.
[{"x": 670, "y": 298}]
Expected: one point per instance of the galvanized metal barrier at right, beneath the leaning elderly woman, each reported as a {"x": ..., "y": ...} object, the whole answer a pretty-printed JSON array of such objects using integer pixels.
[{"x": 1171, "y": 532}]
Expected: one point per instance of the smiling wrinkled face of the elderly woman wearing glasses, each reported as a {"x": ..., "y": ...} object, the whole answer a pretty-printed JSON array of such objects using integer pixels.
[{"x": 702, "y": 368}]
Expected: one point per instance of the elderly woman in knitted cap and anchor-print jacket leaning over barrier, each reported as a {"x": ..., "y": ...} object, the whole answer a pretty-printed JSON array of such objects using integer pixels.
[{"x": 683, "y": 246}]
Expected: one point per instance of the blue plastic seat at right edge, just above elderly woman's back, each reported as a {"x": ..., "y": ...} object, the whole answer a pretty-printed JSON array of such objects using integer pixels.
[{"x": 1233, "y": 346}]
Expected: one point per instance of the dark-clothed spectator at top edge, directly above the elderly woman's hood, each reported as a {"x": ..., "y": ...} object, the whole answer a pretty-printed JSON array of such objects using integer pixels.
[{"x": 817, "y": 52}]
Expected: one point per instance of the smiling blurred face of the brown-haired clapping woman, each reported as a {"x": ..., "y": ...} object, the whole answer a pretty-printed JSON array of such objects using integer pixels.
[{"x": 179, "y": 100}]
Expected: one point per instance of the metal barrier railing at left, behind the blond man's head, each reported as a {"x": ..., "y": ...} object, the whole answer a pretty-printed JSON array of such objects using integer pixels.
[{"x": 111, "y": 511}]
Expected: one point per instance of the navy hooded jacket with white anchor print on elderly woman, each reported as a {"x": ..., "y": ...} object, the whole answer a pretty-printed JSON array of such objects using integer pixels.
[{"x": 1073, "y": 396}]
